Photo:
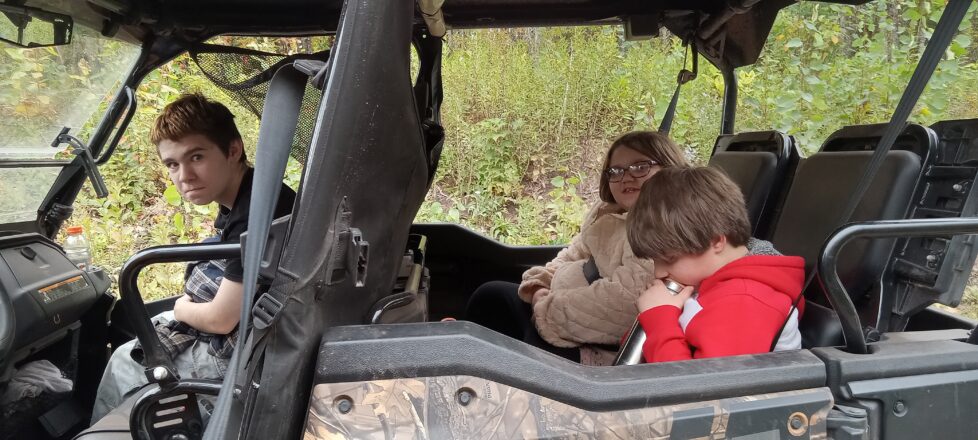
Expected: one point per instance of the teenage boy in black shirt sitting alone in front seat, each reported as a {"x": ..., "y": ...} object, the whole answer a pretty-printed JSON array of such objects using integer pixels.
[{"x": 203, "y": 153}]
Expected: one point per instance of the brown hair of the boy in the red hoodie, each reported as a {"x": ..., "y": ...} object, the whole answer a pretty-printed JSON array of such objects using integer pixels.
[{"x": 681, "y": 211}]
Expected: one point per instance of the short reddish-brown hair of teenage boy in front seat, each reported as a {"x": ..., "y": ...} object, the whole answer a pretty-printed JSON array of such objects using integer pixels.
[{"x": 192, "y": 113}]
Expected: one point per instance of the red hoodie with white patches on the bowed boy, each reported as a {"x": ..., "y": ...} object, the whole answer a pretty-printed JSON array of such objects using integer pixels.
[{"x": 739, "y": 310}]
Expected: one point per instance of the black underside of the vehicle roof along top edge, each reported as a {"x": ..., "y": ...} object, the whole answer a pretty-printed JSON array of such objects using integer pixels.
[{"x": 738, "y": 41}]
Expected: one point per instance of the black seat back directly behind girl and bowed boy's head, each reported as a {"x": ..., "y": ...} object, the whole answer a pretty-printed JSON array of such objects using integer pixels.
[{"x": 761, "y": 163}]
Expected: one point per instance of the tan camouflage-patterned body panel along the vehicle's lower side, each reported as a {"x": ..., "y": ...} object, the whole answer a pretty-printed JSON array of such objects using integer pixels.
[{"x": 465, "y": 407}]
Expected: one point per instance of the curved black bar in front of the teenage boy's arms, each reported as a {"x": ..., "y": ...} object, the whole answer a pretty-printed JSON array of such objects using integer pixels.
[{"x": 135, "y": 308}]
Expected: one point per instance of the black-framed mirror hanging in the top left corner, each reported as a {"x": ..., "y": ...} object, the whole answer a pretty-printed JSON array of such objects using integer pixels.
[{"x": 32, "y": 27}]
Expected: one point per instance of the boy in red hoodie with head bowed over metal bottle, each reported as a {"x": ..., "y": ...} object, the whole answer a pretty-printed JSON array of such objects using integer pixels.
[{"x": 710, "y": 296}]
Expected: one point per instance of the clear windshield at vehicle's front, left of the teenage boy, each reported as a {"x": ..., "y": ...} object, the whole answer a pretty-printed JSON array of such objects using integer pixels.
[{"x": 43, "y": 90}]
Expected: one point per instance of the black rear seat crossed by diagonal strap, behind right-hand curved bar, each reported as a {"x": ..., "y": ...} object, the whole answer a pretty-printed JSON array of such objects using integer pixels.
[{"x": 817, "y": 199}]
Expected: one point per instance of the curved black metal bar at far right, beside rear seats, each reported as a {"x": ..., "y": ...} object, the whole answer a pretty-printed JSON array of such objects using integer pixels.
[{"x": 828, "y": 259}]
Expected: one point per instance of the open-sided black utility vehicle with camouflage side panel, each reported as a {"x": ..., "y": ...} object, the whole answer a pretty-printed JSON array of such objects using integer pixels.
[{"x": 343, "y": 332}]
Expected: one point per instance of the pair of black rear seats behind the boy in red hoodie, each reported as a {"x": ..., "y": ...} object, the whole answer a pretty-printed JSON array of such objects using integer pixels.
[{"x": 797, "y": 203}]
